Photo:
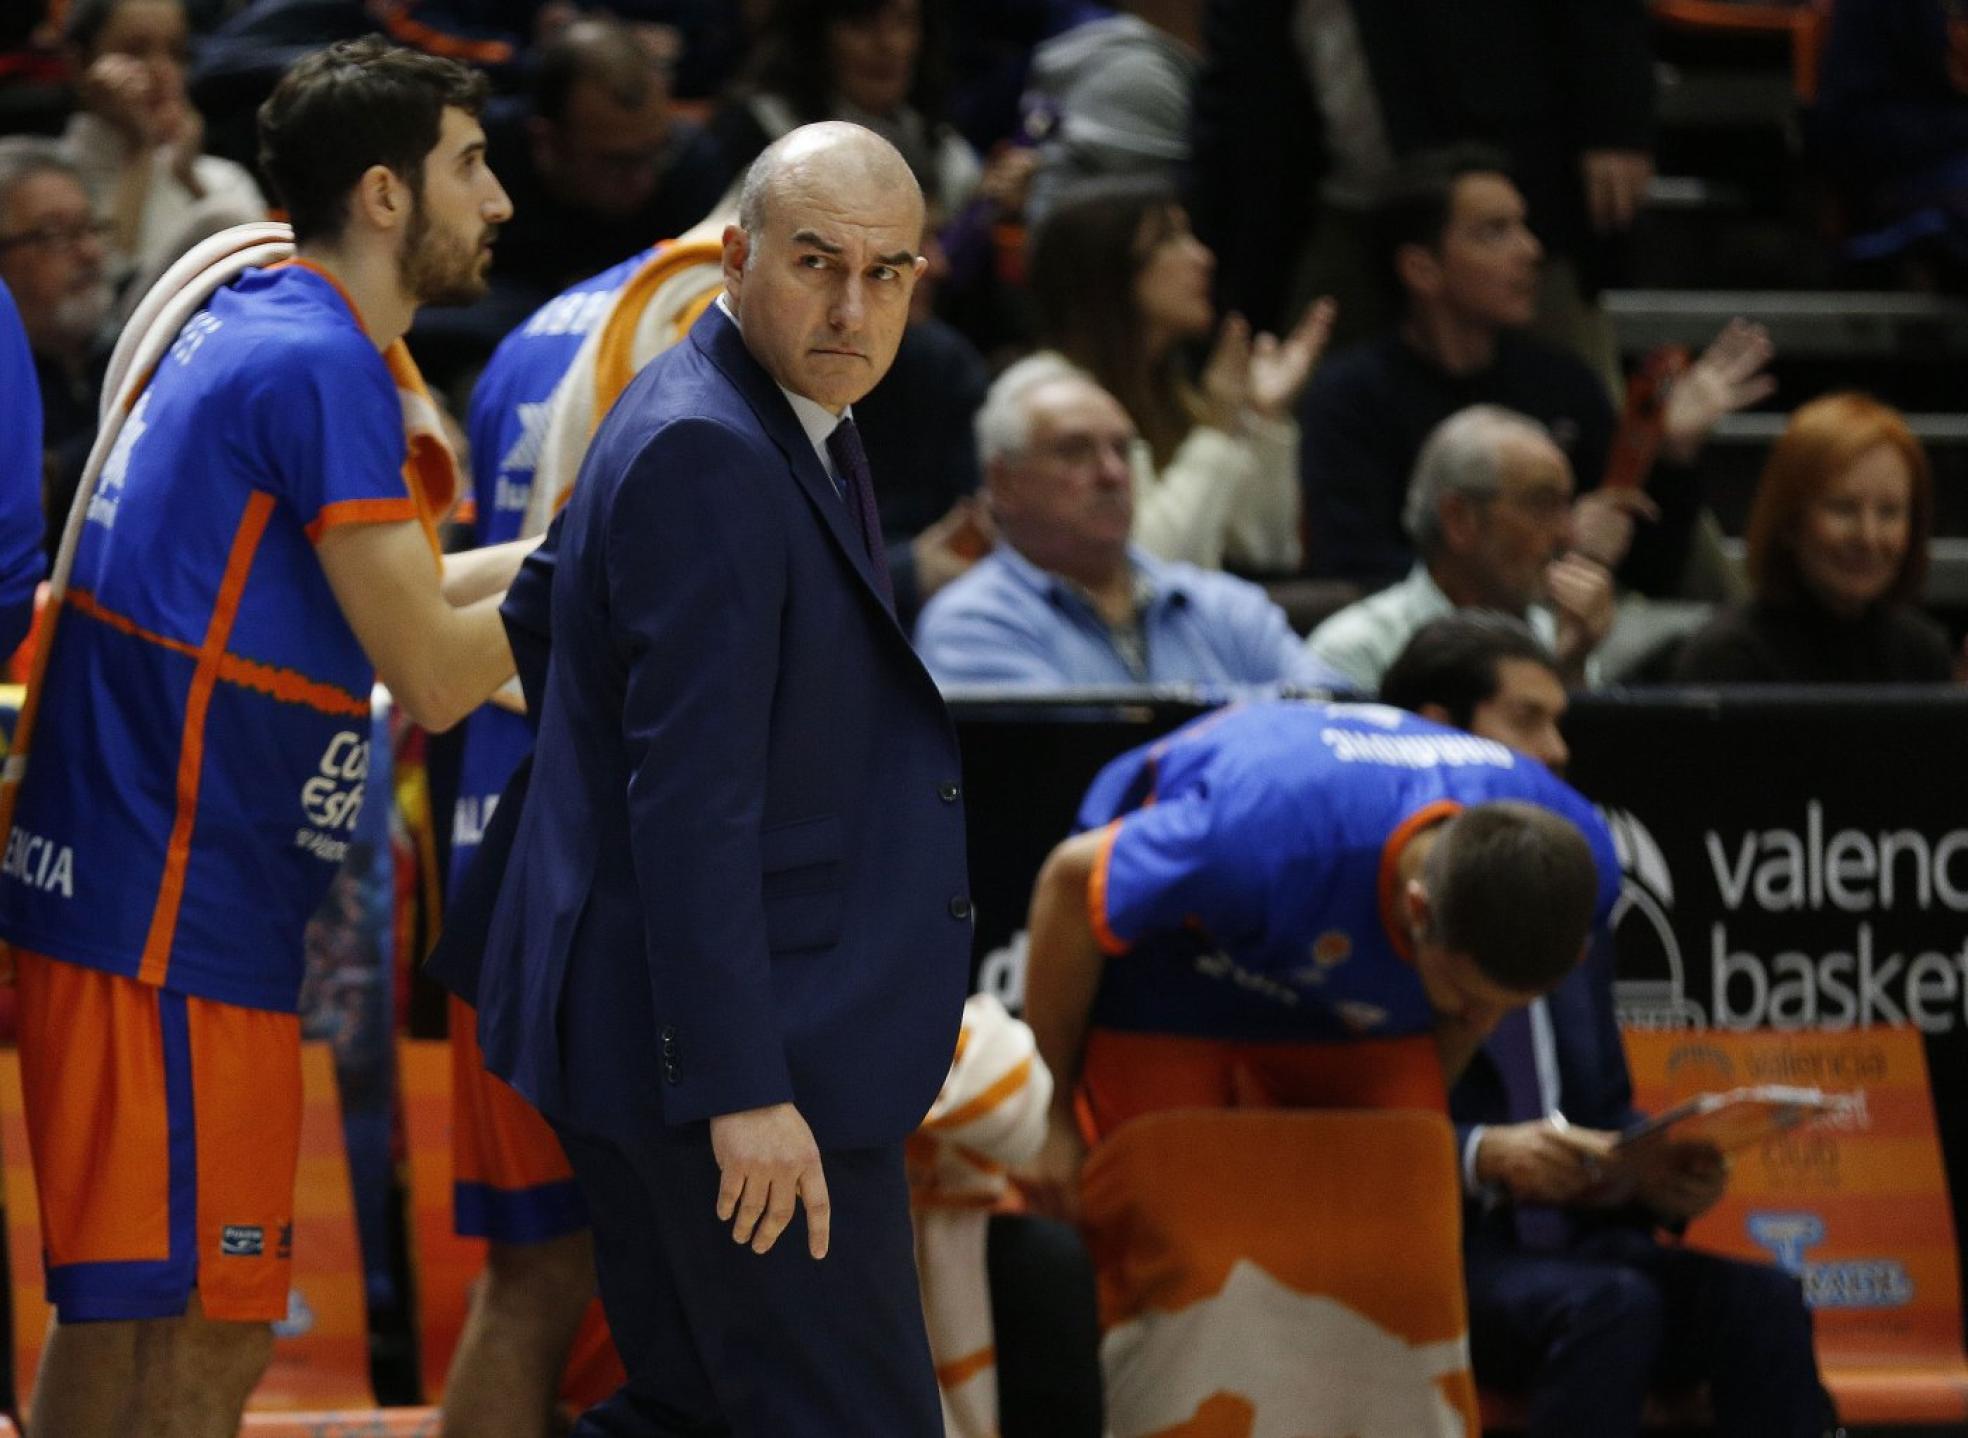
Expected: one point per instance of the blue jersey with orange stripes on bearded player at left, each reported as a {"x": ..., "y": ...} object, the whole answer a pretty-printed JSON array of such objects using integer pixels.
[{"x": 206, "y": 713}]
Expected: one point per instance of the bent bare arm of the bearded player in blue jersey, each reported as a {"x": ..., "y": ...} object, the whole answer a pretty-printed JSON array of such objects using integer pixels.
[{"x": 438, "y": 660}]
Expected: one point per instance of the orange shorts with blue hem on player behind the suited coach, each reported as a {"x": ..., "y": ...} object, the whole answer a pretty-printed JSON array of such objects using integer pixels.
[{"x": 511, "y": 1181}]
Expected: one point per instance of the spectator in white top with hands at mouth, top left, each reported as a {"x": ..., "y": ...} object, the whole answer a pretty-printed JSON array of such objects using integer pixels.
[{"x": 139, "y": 143}]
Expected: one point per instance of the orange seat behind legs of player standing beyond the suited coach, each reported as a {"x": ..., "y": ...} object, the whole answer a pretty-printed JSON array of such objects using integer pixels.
[{"x": 446, "y": 1264}]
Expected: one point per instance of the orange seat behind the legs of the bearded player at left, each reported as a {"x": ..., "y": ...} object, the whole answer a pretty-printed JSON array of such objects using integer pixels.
[{"x": 322, "y": 1348}]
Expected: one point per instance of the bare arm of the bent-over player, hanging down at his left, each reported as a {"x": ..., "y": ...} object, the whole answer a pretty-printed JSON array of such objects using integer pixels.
[{"x": 1062, "y": 977}]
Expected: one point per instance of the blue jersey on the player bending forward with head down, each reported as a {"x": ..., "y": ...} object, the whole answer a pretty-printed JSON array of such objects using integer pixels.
[{"x": 1249, "y": 872}]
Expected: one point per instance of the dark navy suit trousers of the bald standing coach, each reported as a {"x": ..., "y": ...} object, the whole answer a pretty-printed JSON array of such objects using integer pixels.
[{"x": 721, "y": 1341}]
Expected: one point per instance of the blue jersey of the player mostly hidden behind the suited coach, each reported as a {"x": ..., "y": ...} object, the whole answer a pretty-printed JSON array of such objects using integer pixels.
[{"x": 509, "y": 422}]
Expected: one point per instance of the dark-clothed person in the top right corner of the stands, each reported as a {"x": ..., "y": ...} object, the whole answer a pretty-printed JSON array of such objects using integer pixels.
[{"x": 1890, "y": 127}]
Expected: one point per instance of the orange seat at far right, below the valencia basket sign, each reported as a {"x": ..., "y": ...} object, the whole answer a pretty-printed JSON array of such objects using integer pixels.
[{"x": 1859, "y": 1207}]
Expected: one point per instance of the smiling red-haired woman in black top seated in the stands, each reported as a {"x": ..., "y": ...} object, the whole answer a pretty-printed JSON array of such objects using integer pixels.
[{"x": 1837, "y": 560}]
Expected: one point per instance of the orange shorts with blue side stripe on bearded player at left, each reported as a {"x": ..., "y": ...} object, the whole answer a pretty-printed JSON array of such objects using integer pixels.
[{"x": 164, "y": 1134}]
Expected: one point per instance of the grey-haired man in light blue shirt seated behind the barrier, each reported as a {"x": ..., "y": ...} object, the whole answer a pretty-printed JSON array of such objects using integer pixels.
[{"x": 1066, "y": 601}]
